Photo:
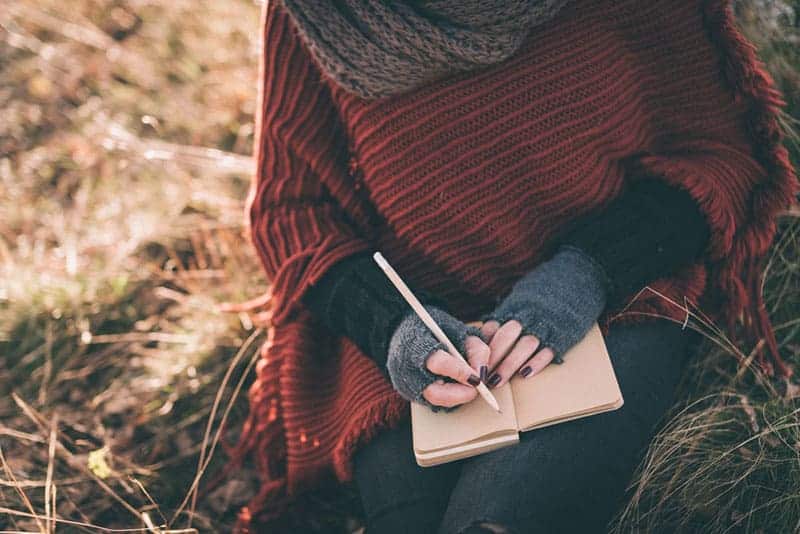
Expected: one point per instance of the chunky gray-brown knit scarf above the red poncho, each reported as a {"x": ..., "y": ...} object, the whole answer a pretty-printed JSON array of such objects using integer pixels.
[{"x": 380, "y": 48}]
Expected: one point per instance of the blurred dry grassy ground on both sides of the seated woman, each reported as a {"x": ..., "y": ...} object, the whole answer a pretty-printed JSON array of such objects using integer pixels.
[{"x": 126, "y": 128}]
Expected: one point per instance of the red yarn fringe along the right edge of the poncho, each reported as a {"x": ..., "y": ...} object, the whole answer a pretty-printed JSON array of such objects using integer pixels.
[{"x": 737, "y": 279}]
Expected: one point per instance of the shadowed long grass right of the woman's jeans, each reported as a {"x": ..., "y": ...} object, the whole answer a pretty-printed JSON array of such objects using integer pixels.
[{"x": 726, "y": 457}]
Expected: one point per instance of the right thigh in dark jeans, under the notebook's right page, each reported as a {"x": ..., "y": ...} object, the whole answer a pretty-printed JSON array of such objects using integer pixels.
[{"x": 572, "y": 477}]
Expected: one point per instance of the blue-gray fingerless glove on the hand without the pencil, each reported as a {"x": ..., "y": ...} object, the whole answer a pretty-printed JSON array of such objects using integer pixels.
[{"x": 558, "y": 301}]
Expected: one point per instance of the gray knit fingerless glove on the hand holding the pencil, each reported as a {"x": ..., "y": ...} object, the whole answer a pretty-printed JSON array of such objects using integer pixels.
[{"x": 411, "y": 344}]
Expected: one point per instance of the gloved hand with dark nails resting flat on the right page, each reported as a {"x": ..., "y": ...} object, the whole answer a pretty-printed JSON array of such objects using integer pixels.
[{"x": 551, "y": 308}]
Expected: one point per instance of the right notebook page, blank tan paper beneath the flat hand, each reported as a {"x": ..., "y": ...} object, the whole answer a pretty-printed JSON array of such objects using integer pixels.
[{"x": 584, "y": 384}]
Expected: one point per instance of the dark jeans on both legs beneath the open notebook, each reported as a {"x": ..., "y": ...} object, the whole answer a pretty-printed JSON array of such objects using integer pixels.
[{"x": 570, "y": 477}]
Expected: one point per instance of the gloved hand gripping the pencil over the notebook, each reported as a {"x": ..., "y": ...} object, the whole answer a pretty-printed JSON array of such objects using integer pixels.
[{"x": 421, "y": 369}]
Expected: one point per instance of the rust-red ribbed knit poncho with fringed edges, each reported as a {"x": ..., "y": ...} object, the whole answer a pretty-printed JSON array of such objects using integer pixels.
[{"x": 465, "y": 184}]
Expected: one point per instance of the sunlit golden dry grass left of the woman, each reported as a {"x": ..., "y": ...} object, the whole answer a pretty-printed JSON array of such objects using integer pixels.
[{"x": 120, "y": 236}]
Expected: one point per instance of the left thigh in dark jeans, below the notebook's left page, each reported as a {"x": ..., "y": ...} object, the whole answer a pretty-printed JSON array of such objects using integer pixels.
[{"x": 397, "y": 494}]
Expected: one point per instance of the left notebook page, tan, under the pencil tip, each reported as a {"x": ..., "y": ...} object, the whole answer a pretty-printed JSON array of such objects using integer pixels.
[{"x": 433, "y": 431}]
